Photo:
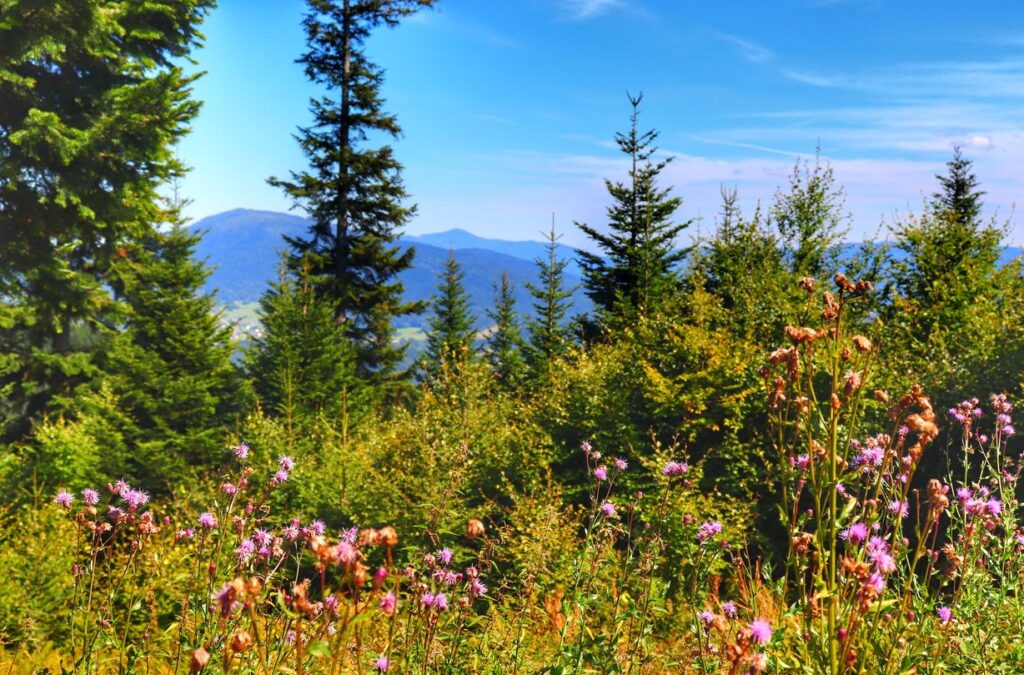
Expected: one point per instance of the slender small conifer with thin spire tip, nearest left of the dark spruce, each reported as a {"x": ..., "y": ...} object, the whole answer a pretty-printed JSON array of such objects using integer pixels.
[{"x": 550, "y": 334}]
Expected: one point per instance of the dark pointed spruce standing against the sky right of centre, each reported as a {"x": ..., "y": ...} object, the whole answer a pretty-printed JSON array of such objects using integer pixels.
[{"x": 636, "y": 271}]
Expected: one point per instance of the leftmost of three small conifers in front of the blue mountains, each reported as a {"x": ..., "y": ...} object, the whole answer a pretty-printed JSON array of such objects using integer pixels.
[{"x": 451, "y": 335}]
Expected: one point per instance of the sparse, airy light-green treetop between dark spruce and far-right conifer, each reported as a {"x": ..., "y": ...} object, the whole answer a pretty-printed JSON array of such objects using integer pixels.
[{"x": 810, "y": 221}]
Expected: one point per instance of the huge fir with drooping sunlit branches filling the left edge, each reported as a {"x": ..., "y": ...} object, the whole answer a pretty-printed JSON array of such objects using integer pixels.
[{"x": 94, "y": 99}]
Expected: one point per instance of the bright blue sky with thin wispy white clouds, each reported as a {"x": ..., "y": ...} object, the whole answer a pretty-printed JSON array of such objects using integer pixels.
[{"x": 509, "y": 107}]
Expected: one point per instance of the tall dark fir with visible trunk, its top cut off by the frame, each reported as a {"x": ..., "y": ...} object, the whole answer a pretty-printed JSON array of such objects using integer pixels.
[{"x": 354, "y": 194}]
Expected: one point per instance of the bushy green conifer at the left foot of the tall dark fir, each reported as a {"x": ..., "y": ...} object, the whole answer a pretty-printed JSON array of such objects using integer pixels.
[{"x": 304, "y": 365}]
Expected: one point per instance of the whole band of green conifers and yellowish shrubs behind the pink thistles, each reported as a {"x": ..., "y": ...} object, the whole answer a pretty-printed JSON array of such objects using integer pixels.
[{"x": 113, "y": 362}]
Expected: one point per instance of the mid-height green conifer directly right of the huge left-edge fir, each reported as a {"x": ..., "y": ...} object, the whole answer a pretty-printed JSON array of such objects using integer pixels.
[{"x": 172, "y": 367}]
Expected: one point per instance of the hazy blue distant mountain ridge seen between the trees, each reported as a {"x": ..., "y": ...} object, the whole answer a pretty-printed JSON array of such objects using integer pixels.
[{"x": 243, "y": 247}]
